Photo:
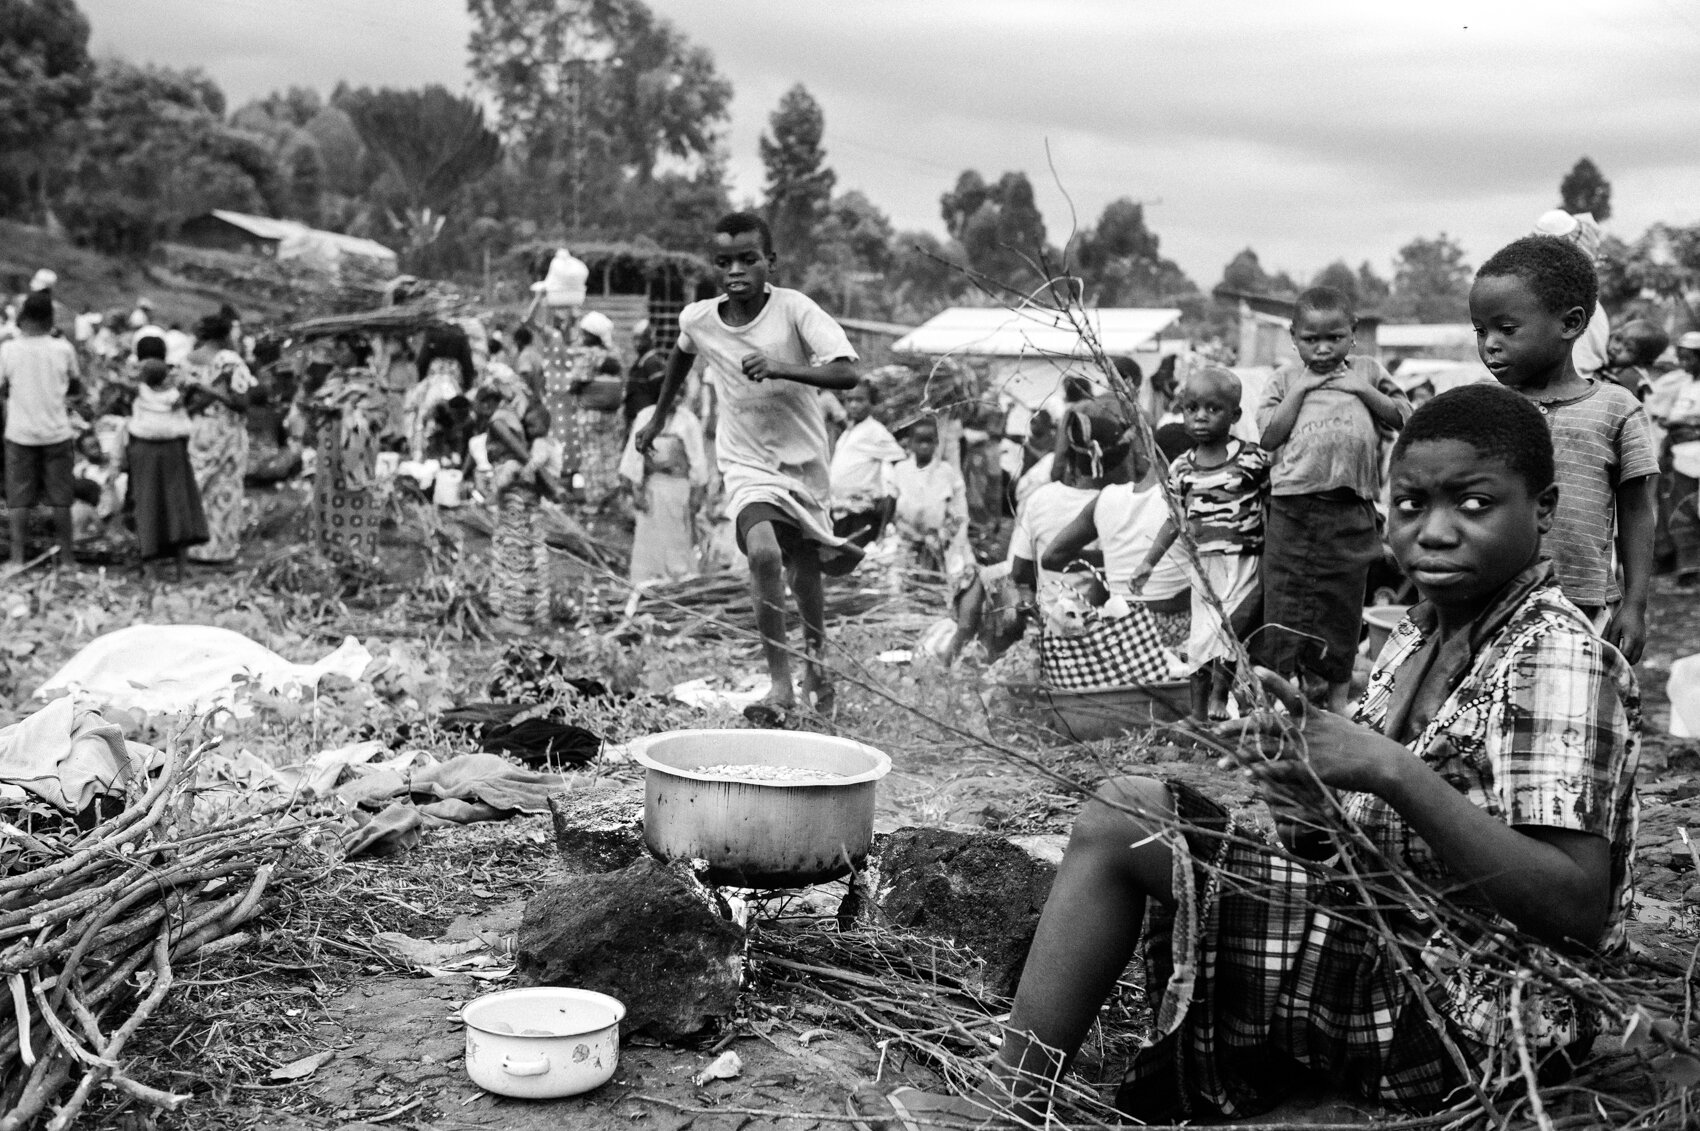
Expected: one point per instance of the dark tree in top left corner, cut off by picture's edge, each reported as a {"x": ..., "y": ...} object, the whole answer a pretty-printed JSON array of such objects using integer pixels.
[{"x": 45, "y": 81}]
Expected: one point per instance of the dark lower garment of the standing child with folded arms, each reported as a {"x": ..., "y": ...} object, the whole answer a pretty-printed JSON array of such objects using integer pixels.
[{"x": 1317, "y": 562}]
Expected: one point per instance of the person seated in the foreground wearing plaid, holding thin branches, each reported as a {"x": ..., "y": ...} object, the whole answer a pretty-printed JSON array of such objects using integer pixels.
[{"x": 1490, "y": 768}]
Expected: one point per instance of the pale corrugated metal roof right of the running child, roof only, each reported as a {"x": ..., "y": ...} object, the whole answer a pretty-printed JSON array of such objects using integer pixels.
[{"x": 1002, "y": 332}]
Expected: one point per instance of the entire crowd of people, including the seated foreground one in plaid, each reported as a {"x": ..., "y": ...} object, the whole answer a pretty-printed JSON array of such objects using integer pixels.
[{"x": 1492, "y": 759}]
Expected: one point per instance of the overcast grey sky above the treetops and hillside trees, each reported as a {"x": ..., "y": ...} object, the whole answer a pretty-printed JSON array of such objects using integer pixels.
[{"x": 1310, "y": 130}]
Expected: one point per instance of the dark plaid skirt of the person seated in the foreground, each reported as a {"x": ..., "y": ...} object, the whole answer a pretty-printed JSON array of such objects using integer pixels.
[{"x": 1269, "y": 970}]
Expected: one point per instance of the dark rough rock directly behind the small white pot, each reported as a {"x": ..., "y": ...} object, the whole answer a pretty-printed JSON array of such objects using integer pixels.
[{"x": 647, "y": 935}]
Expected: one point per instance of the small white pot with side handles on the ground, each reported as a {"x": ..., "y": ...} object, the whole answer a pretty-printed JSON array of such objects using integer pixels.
[{"x": 543, "y": 1043}]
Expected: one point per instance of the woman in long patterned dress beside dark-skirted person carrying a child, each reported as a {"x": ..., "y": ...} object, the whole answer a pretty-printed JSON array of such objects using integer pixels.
[{"x": 218, "y": 440}]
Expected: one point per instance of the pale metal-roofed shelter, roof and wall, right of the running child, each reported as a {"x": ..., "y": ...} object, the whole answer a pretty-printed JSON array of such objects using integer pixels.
[{"x": 1029, "y": 351}]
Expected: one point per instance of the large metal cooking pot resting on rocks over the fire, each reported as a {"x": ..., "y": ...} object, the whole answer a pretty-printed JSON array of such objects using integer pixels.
[{"x": 761, "y": 834}]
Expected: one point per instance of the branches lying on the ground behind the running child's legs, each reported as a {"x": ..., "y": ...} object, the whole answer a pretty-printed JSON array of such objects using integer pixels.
[{"x": 717, "y": 606}]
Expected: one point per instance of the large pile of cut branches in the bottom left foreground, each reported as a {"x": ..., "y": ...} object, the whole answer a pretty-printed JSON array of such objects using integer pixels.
[{"x": 94, "y": 923}]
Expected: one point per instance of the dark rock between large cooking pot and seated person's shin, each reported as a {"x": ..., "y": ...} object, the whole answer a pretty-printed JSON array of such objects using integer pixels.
[{"x": 977, "y": 890}]
